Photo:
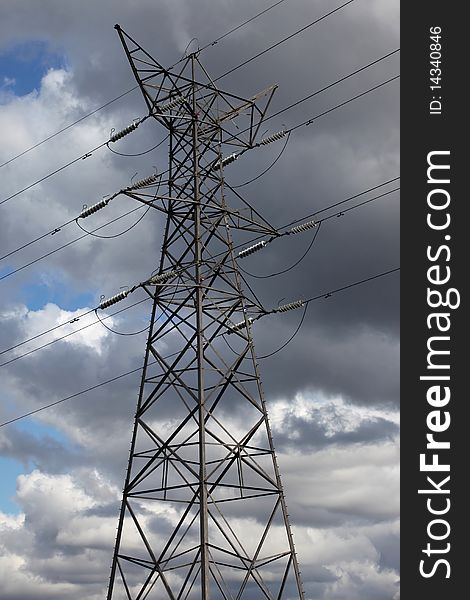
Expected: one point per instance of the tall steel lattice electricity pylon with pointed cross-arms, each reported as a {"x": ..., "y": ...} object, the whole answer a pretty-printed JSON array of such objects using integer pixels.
[{"x": 203, "y": 513}]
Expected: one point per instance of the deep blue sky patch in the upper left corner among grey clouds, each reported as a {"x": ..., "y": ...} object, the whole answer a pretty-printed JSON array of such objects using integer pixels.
[{"x": 23, "y": 66}]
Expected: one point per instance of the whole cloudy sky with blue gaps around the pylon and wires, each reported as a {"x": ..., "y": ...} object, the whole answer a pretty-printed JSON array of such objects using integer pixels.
[{"x": 332, "y": 393}]
